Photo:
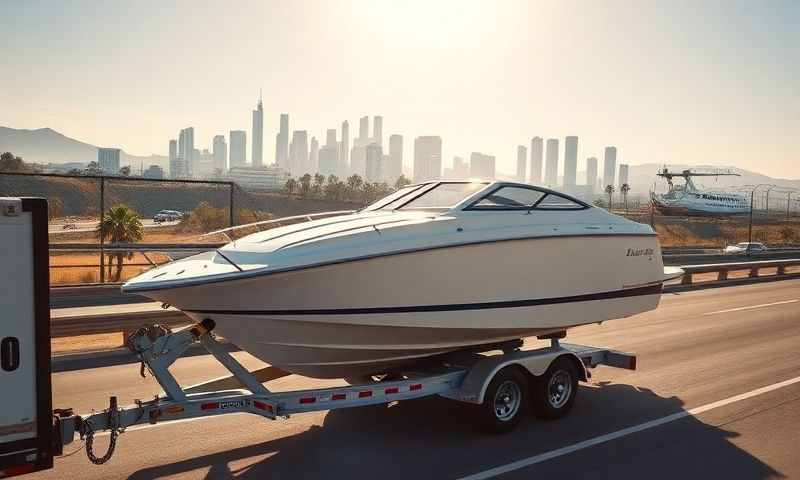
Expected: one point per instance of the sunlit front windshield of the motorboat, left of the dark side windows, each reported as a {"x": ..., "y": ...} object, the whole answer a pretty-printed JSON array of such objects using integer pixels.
[{"x": 428, "y": 196}]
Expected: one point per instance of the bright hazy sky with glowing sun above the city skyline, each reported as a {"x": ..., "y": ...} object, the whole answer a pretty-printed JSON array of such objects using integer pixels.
[{"x": 669, "y": 82}]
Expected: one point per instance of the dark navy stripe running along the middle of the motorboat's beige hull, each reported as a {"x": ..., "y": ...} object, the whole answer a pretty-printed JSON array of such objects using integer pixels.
[{"x": 630, "y": 292}]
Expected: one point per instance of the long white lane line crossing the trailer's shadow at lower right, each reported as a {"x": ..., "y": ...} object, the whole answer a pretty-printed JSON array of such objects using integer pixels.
[{"x": 527, "y": 462}]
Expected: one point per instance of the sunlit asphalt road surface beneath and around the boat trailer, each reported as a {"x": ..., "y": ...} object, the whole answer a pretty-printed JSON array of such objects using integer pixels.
[{"x": 703, "y": 355}]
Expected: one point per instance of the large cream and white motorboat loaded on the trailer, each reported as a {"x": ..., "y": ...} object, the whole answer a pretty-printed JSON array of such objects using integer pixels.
[{"x": 430, "y": 269}]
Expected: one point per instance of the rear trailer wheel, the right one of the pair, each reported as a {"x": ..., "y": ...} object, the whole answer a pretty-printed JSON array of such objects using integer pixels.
[{"x": 553, "y": 393}]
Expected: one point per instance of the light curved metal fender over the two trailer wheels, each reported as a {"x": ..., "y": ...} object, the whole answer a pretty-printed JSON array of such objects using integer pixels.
[{"x": 536, "y": 362}]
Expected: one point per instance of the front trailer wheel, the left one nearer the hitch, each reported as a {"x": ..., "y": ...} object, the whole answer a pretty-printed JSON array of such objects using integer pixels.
[{"x": 505, "y": 402}]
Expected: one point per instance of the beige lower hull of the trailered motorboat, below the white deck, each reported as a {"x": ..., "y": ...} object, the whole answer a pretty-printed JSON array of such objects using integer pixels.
[{"x": 381, "y": 313}]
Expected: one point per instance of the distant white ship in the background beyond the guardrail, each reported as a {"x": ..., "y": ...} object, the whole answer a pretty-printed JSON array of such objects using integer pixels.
[{"x": 687, "y": 199}]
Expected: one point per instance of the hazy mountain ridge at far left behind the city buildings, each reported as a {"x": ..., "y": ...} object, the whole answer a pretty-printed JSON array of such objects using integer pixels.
[{"x": 45, "y": 145}]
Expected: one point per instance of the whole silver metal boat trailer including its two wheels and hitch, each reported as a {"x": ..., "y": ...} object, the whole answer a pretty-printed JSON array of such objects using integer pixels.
[{"x": 501, "y": 380}]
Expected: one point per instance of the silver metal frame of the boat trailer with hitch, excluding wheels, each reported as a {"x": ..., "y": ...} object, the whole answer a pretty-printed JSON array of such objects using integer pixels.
[{"x": 464, "y": 376}]
